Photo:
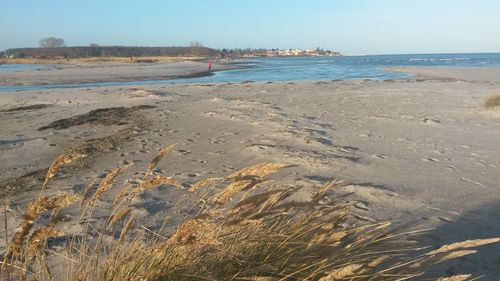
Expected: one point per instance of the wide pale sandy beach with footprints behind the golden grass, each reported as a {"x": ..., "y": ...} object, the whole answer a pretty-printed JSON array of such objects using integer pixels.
[{"x": 421, "y": 150}]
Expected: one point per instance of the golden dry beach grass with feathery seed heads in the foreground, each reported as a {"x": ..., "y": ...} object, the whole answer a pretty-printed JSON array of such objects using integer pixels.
[{"x": 240, "y": 227}]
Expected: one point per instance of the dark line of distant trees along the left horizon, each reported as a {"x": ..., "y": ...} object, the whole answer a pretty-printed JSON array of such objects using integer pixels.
[{"x": 95, "y": 50}]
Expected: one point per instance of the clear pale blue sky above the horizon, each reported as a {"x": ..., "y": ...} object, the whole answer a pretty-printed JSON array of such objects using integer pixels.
[{"x": 349, "y": 26}]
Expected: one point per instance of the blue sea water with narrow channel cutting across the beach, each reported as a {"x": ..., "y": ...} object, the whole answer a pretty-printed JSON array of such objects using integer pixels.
[{"x": 302, "y": 68}]
